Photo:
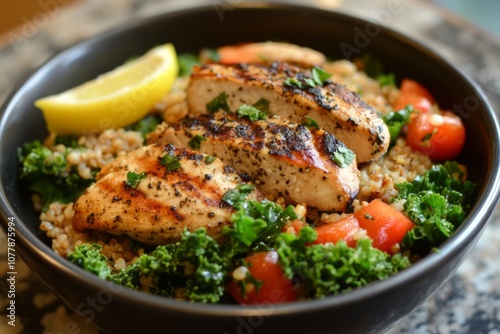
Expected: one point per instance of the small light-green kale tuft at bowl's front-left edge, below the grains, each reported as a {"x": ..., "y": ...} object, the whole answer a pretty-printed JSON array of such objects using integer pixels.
[{"x": 89, "y": 257}]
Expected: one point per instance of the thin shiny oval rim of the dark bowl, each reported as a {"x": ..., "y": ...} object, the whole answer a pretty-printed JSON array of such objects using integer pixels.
[{"x": 475, "y": 221}]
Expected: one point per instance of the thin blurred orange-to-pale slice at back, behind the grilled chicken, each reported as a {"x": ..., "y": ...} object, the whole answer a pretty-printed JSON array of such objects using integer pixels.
[{"x": 266, "y": 53}]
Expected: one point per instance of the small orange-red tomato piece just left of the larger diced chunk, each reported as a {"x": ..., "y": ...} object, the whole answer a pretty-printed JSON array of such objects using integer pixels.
[{"x": 342, "y": 229}]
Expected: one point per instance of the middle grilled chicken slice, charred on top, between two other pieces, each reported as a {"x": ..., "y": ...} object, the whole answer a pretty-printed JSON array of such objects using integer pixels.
[{"x": 282, "y": 158}]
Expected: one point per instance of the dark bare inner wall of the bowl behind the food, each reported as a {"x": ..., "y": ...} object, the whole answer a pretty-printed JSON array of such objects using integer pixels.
[{"x": 193, "y": 29}]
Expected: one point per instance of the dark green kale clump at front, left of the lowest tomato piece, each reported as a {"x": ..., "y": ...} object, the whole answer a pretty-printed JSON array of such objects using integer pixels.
[{"x": 193, "y": 264}]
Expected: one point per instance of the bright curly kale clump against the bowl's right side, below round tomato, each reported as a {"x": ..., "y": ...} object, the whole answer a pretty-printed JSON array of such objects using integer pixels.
[{"x": 437, "y": 203}]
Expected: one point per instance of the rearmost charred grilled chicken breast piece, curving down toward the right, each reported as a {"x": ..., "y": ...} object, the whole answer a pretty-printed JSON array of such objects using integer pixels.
[{"x": 336, "y": 109}]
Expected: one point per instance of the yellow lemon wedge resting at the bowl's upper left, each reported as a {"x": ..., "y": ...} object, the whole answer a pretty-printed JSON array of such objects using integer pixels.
[{"x": 115, "y": 99}]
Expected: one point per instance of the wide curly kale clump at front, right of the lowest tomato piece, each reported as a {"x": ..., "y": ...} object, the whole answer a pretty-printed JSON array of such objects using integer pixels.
[{"x": 334, "y": 268}]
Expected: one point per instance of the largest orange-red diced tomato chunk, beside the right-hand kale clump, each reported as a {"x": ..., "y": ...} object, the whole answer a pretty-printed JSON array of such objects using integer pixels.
[{"x": 385, "y": 225}]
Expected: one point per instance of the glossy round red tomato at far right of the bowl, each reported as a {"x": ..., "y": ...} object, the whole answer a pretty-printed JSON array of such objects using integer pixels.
[{"x": 440, "y": 136}]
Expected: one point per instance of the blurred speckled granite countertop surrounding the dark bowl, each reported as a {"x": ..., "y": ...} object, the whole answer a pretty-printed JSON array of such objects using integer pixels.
[{"x": 467, "y": 303}]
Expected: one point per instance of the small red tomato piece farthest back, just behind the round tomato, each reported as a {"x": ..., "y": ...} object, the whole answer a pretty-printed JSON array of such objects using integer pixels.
[{"x": 414, "y": 94}]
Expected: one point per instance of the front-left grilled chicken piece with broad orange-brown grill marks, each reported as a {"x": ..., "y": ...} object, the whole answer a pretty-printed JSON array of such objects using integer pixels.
[{"x": 163, "y": 203}]
